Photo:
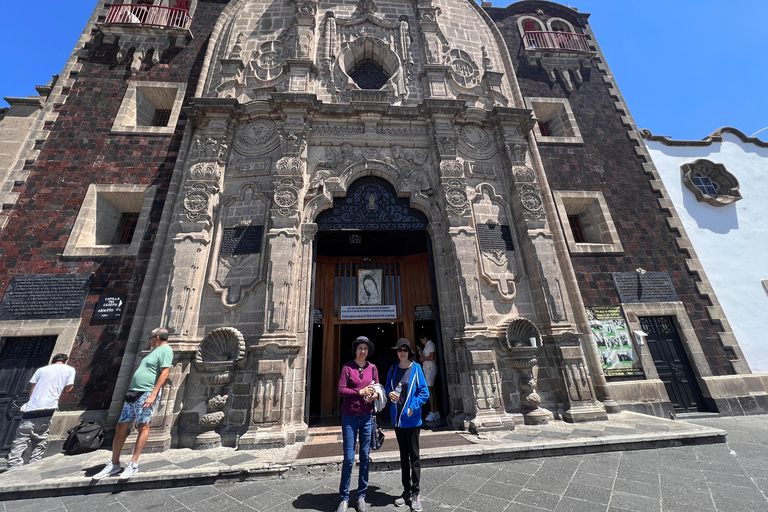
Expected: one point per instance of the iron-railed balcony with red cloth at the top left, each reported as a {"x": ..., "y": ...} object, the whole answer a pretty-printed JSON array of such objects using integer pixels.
[{"x": 142, "y": 18}]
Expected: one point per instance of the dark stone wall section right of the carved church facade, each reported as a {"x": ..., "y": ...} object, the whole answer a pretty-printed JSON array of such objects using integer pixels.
[{"x": 607, "y": 162}]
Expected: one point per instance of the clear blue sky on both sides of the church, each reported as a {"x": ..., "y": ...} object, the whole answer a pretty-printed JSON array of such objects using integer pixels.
[{"x": 685, "y": 67}]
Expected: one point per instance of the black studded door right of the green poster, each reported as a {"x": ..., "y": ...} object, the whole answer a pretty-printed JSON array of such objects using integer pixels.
[{"x": 672, "y": 363}]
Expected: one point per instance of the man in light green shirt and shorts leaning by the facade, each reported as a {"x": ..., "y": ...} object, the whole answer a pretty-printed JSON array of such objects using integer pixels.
[{"x": 139, "y": 403}]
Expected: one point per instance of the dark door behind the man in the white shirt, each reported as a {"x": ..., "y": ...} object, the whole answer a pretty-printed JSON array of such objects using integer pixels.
[{"x": 19, "y": 359}]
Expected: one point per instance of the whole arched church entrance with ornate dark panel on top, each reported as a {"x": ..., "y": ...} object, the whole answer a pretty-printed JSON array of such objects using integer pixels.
[{"x": 373, "y": 277}]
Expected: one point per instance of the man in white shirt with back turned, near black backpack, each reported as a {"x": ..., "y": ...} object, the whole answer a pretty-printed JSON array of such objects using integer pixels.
[{"x": 48, "y": 384}]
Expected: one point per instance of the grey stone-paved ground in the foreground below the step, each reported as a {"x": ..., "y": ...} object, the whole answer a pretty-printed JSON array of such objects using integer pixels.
[{"x": 718, "y": 477}]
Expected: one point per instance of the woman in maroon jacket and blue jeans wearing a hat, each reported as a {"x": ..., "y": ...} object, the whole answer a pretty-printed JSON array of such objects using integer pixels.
[{"x": 356, "y": 388}]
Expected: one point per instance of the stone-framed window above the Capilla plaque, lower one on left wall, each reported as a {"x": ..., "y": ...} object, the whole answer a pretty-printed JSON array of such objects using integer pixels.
[{"x": 111, "y": 221}]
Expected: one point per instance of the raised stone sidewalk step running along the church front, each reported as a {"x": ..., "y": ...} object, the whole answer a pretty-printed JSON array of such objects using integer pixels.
[{"x": 59, "y": 475}]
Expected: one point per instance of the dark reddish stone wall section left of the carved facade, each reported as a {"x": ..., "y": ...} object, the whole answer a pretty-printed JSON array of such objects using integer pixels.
[{"x": 78, "y": 152}]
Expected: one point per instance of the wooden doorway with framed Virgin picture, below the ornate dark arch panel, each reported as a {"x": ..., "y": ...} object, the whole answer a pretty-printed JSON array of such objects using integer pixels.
[{"x": 404, "y": 288}]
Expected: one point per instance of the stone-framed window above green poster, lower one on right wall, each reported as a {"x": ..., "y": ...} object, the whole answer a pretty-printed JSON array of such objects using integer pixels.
[{"x": 589, "y": 228}]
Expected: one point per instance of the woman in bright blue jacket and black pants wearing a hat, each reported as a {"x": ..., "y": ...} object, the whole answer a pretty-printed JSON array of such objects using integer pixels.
[{"x": 408, "y": 392}]
